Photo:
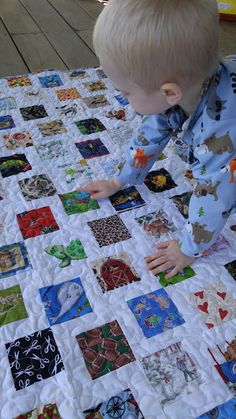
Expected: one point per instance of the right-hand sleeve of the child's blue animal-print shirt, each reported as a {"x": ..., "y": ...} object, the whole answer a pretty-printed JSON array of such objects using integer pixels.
[{"x": 214, "y": 196}]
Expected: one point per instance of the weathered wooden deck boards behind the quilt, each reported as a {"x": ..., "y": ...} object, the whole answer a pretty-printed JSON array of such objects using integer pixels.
[{"x": 56, "y": 34}]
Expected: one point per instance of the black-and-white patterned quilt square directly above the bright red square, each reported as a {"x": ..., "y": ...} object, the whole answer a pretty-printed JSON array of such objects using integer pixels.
[{"x": 36, "y": 187}]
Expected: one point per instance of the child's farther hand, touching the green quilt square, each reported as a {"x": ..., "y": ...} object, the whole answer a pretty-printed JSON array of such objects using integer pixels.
[{"x": 102, "y": 188}]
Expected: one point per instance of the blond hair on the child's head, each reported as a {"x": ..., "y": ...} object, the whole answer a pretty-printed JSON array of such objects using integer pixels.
[{"x": 155, "y": 41}]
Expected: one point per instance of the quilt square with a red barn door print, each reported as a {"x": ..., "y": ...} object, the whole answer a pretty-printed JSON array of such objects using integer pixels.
[{"x": 114, "y": 271}]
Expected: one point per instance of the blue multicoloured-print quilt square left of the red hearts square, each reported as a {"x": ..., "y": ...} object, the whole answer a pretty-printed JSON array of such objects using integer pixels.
[{"x": 155, "y": 313}]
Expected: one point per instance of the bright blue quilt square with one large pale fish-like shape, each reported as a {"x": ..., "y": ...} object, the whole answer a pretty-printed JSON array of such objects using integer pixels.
[{"x": 65, "y": 301}]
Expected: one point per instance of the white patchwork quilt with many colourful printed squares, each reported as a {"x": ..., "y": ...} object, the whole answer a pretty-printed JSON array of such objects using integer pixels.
[{"x": 86, "y": 330}]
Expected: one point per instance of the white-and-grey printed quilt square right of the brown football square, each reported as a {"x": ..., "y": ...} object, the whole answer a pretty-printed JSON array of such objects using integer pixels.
[{"x": 172, "y": 373}]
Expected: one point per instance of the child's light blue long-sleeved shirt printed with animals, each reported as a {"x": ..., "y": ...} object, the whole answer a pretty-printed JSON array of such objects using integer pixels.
[{"x": 207, "y": 142}]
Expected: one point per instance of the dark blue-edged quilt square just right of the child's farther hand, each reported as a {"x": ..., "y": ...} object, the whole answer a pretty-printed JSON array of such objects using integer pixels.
[{"x": 127, "y": 199}]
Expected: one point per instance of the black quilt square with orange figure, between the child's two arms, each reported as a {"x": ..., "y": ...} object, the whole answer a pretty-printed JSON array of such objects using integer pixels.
[{"x": 159, "y": 181}]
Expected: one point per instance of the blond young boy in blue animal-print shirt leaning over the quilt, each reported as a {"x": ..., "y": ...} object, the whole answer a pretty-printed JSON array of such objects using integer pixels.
[{"x": 163, "y": 56}]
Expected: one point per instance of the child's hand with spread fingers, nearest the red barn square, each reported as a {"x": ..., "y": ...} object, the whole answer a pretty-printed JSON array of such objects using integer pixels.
[{"x": 169, "y": 256}]
